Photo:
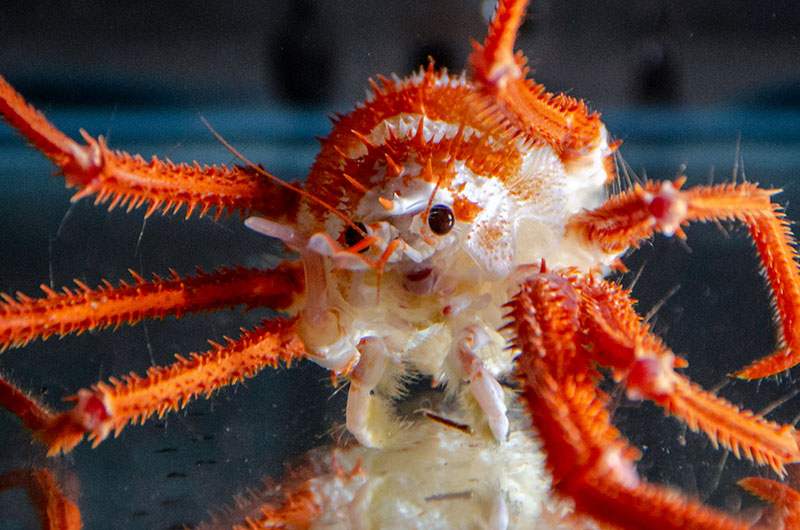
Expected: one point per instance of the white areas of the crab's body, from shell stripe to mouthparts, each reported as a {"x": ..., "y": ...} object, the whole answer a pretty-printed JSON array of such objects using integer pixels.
[{"x": 435, "y": 307}]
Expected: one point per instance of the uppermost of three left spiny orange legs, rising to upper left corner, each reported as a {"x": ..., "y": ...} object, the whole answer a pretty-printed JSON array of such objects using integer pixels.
[{"x": 130, "y": 180}]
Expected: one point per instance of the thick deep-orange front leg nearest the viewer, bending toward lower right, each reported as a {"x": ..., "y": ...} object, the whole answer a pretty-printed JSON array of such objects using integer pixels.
[{"x": 589, "y": 459}]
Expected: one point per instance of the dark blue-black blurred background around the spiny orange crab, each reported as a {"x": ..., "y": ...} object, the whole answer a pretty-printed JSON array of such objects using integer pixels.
[{"x": 710, "y": 88}]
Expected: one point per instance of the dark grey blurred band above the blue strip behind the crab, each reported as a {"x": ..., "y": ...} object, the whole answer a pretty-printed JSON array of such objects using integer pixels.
[{"x": 203, "y": 53}]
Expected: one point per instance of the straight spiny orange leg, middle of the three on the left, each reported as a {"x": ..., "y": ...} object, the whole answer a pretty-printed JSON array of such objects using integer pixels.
[{"x": 83, "y": 309}]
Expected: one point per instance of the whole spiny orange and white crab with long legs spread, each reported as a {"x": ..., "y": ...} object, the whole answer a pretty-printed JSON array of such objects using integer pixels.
[{"x": 441, "y": 210}]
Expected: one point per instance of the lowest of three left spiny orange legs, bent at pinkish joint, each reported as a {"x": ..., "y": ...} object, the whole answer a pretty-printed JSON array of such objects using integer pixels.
[{"x": 110, "y": 406}]
